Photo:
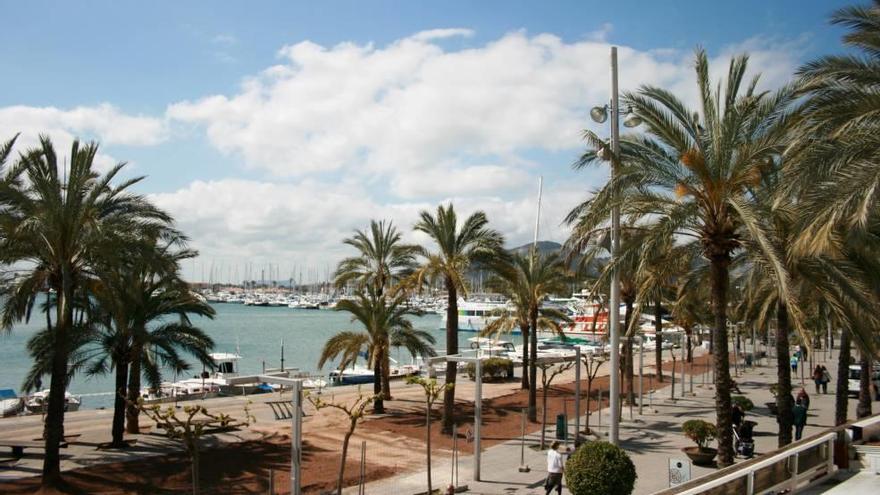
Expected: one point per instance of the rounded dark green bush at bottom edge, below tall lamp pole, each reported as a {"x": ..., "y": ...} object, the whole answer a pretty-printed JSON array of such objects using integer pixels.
[{"x": 600, "y": 467}]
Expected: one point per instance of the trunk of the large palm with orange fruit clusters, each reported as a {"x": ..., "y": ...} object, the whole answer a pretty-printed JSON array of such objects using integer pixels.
[{"x": 720, "y": 280}]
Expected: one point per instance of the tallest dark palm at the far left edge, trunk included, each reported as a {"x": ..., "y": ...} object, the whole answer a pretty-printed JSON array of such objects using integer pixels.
[{"x": 53, "y": 222}]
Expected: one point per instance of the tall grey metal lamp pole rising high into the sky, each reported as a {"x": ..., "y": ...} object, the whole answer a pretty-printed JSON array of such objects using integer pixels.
[{"x": 614, "y": 306}]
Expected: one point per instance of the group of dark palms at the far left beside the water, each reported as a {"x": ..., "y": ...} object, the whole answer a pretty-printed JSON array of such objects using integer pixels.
[{"x": 101, "y": 264}]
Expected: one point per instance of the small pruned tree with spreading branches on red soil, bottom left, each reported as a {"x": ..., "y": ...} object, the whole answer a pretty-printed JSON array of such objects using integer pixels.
[{"x": 188, "y": 429}]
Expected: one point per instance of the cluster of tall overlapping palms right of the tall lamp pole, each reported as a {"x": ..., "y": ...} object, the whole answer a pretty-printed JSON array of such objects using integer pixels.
[{"x": 773, "y": 192}]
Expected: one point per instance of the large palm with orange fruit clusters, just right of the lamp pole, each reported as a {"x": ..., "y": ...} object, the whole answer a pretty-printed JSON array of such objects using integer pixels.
[{"x": 690, "y": 175}]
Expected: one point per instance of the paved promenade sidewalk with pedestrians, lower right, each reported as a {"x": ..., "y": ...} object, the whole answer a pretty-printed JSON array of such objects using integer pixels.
[{"x": 651, "y": 438}]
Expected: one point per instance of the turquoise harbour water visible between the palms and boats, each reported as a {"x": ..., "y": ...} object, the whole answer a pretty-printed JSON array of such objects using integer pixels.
[{"x": 255, "y": 331}]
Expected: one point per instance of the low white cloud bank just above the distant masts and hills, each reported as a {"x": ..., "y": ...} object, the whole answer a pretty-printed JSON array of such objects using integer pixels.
[{"x": 238, "y": 221}]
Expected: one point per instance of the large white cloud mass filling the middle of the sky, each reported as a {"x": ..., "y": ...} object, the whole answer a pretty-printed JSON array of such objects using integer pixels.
[{"x": 411, "y": 124}]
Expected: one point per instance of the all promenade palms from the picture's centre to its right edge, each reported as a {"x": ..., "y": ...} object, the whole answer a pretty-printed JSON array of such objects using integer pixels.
[{"x": 755, "y": 206}]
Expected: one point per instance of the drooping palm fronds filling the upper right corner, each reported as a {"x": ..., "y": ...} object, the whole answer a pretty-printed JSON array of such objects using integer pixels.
[{"x": 842, "y": 169}]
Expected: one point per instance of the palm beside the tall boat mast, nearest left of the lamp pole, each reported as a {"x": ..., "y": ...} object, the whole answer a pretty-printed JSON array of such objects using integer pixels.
[{"x": 527, "y": 281}]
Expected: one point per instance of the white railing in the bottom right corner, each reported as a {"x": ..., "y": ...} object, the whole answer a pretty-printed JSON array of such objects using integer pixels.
[{"x": 743, "y": 475}]
